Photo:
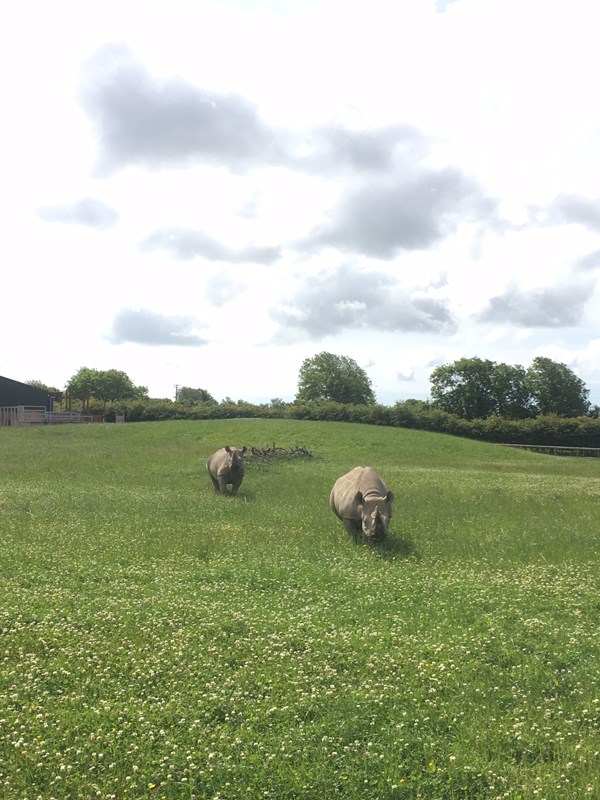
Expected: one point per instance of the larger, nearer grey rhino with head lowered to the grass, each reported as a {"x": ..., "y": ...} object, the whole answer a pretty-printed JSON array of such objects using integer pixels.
[{"x": 363, "y": 502}]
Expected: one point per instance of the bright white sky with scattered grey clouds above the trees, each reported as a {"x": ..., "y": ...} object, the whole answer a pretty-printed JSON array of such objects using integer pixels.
[{"x": 207, "y": 193}]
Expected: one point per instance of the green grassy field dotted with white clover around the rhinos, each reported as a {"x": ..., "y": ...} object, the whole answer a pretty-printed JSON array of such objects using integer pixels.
[{"x": 161, "y": 641}]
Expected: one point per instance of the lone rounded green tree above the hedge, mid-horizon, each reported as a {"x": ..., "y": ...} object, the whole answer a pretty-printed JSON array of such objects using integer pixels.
[{"x": 330, "y": 377}]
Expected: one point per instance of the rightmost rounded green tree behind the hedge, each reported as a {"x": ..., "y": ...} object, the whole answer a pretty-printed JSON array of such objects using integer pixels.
[{"x": 555, "y": 389}]
